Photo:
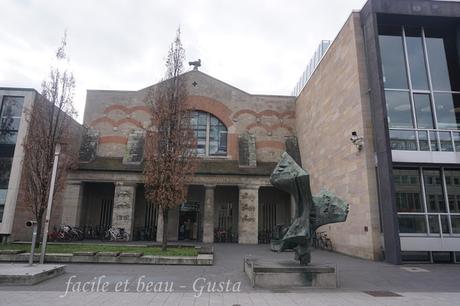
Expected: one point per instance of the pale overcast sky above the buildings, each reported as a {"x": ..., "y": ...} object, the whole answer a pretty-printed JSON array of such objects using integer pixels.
[{"x": 261, "y": 47}]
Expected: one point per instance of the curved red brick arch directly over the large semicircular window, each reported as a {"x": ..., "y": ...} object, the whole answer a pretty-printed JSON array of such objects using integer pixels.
[{"x": 212, "y": 106}]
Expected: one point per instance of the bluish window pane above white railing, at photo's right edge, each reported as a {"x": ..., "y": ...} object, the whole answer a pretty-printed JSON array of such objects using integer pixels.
[{"x": 447, "y": 110}]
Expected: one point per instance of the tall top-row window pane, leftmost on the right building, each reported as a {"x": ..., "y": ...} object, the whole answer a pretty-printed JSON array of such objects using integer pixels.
[{"x": 392, "y": 55}]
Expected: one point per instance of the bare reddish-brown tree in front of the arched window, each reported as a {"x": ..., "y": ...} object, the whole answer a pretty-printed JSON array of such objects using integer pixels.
[{"x": 169, "y": 147}]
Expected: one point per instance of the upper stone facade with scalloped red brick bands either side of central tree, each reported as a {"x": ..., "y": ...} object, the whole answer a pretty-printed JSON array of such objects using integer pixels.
[{"x": 115, "y": 114}]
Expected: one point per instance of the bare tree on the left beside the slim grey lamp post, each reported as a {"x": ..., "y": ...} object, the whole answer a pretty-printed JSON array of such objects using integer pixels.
[{"x": 49, "y": 124}]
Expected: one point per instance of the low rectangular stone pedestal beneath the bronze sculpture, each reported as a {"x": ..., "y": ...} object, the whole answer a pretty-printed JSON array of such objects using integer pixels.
[{"x": 278, "y": 275}]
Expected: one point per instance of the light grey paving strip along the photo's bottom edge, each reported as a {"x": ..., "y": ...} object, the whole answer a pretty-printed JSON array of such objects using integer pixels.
[{"x": 231, "y": 299}]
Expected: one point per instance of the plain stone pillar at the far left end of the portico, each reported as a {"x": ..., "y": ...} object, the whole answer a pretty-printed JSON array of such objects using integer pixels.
[{"x": 71, "y": 203}]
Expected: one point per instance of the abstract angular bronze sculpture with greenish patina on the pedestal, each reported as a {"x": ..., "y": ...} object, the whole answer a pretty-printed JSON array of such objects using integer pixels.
[{"x": 311, "y": 212}]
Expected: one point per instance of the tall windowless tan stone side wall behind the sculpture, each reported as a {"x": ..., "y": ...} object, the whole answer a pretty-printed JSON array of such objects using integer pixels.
[{"x": 332, "y": 105}]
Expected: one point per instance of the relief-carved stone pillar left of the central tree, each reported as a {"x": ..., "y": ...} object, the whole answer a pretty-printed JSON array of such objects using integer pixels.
[{"x": 123, "y": 207}]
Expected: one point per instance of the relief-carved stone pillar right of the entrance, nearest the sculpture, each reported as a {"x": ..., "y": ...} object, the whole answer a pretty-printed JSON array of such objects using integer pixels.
[{"x": 248, "y": 214}]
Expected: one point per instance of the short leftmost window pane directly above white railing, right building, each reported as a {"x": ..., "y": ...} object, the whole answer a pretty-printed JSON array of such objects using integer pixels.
[{"x": 399, "y": 109}]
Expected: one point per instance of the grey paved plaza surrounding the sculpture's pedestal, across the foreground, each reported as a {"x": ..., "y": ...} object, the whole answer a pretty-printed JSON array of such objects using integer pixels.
[{"x": 361, "y": 282}]
